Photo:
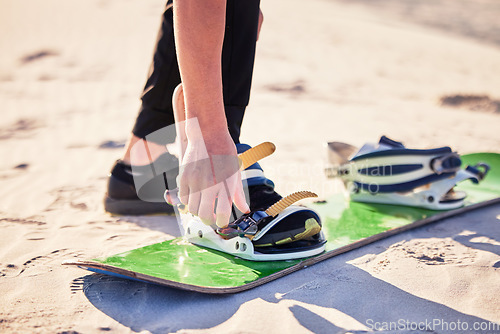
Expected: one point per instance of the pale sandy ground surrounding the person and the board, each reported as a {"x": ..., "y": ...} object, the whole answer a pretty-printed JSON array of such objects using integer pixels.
[{"x": 426, "y": 73}]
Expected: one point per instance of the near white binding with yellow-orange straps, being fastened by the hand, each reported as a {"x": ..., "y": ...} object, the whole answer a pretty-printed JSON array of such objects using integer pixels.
[{"x": 281, "y": 232}]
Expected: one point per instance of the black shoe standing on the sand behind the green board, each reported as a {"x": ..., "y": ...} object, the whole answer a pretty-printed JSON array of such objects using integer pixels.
[{"x": 123, "y": 198}]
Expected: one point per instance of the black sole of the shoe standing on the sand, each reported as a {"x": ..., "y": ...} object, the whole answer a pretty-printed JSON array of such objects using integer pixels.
[{"x": 136, "y": 207}]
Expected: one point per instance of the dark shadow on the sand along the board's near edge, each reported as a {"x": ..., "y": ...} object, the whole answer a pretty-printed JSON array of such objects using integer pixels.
[{"x": 332, "y": 284}]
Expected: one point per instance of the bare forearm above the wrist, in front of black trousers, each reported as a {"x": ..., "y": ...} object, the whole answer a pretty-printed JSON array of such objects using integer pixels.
[{"x": 199, "y": 33}]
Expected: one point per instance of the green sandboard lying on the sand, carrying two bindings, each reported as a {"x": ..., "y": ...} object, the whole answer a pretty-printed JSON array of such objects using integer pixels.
[{"x": 347, "y": 225}]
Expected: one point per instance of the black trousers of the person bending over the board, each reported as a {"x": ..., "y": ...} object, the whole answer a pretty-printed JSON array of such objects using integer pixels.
[{"x": 238, "y": 55}]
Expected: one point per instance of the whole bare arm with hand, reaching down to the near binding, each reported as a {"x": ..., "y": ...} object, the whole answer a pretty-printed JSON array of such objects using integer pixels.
[{"x": 210, "y": 168}]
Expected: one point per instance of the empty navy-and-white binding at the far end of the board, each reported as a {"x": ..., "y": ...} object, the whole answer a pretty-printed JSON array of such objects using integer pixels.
[{"x": 390, "y": 173}]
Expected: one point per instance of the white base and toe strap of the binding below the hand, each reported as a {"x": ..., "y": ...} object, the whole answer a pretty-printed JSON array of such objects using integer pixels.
[{"x": 251, "y": 236}]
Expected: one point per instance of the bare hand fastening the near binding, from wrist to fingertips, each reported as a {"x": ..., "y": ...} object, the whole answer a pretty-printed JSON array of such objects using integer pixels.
[{"x": 210, "y": 178}]
